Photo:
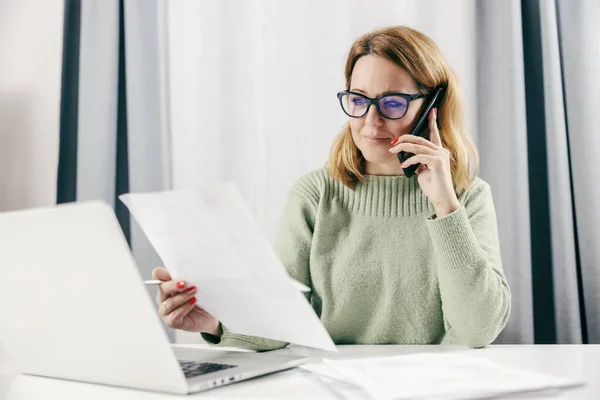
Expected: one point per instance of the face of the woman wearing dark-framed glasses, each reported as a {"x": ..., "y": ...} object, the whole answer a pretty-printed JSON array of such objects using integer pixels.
[{"x": 372, "y": 134}]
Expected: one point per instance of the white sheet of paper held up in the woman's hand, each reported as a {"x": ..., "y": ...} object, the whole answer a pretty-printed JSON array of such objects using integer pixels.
[{"x": 211, "y": 240}]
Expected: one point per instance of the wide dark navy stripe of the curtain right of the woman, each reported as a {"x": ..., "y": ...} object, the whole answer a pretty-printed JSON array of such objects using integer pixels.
[{"x": 542, "y": 263}]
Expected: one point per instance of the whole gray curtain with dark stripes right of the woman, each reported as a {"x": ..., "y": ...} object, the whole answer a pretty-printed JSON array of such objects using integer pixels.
[{"x": 537, "y": 86}]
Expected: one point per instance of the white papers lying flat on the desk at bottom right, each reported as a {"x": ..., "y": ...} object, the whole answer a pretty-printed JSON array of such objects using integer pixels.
[{"x": 436, "y": 376}]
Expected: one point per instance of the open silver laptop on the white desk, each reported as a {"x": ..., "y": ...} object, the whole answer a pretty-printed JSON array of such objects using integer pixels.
[{"x": 74, "y": 306}]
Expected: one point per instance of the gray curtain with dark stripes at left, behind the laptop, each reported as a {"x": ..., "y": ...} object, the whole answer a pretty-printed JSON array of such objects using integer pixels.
[{"x": 113, "y": 120}]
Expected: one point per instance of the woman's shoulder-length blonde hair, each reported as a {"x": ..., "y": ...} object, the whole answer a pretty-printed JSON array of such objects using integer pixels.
[{"x": 421, "y": 58}]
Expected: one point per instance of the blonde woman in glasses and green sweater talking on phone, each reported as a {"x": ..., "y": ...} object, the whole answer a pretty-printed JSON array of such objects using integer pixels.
[{"x": 390, "y": 259}]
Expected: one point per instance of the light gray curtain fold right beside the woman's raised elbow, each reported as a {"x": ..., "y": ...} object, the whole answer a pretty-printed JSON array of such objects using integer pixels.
[{"x": 502, "y": 144}]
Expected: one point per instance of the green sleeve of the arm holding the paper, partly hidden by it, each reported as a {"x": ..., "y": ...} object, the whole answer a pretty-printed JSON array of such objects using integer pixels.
[{"x": 293, "y": 249}]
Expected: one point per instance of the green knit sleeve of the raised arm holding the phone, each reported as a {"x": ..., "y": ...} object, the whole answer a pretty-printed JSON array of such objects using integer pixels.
[{"x": 476, "y": 298}]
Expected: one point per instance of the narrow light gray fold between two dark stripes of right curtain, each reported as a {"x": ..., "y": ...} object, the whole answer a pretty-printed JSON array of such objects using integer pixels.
[{"x": 563, "y": 245}]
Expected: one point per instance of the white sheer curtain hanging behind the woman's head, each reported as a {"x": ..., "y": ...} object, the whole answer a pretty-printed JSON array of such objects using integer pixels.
[{"x": 253, "y": 83}]
